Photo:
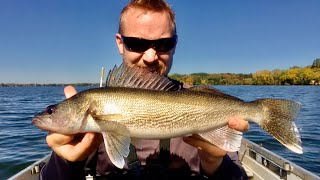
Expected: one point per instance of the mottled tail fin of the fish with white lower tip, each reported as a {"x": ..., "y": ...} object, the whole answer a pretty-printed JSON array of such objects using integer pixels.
[{"x": 278, "y": 121}]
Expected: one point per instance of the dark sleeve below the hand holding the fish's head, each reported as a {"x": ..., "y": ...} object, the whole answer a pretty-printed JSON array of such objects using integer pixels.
[{"x": 59, "y": 168}]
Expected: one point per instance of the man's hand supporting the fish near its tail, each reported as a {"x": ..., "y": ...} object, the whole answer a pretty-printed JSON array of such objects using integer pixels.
[{"x": 210, "y": 155}]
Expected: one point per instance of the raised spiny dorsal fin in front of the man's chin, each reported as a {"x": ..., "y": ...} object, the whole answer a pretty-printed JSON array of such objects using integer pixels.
[{"x": 136, "y": 77}]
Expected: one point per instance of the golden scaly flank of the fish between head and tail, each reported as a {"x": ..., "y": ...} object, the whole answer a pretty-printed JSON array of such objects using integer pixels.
[{"x": 172, "y": 113}]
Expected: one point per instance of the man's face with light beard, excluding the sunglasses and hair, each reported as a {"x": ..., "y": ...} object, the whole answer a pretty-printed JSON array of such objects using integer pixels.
[{"x": 150, "y": 26}]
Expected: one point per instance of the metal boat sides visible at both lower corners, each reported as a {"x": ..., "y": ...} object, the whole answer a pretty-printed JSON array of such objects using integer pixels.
[{"x": 258, "y": 162}]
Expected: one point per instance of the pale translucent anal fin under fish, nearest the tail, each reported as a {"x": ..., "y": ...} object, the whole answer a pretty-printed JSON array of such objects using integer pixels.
[{"x": 225, "y": 138}]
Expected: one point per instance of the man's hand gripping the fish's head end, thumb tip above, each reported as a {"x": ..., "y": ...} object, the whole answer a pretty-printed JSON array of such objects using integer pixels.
[{"x": 75, "y": 147}]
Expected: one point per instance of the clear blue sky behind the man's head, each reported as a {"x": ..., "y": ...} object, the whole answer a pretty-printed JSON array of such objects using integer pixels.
[{"x": 69, "y": 41}]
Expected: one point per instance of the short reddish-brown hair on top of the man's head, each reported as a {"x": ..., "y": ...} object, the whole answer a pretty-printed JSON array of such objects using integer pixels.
[{"x": 149, "y": 5}]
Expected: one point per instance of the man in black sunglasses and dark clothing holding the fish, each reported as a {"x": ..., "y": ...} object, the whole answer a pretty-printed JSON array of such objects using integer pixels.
[{"x": 140, "y": 22}]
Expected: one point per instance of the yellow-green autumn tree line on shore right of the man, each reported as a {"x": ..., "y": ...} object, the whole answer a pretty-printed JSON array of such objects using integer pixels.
[{"x": 309, "y": 75}]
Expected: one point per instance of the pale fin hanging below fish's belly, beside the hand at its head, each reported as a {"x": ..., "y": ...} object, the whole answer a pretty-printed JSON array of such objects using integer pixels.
[{"x": 117, "y": 147}]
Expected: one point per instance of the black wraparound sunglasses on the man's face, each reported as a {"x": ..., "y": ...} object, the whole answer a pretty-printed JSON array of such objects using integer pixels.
[{"x": 141, "y": 45}]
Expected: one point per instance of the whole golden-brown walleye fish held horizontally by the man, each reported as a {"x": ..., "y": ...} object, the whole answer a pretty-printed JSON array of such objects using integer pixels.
[{"x": 137, "y": 104}]
